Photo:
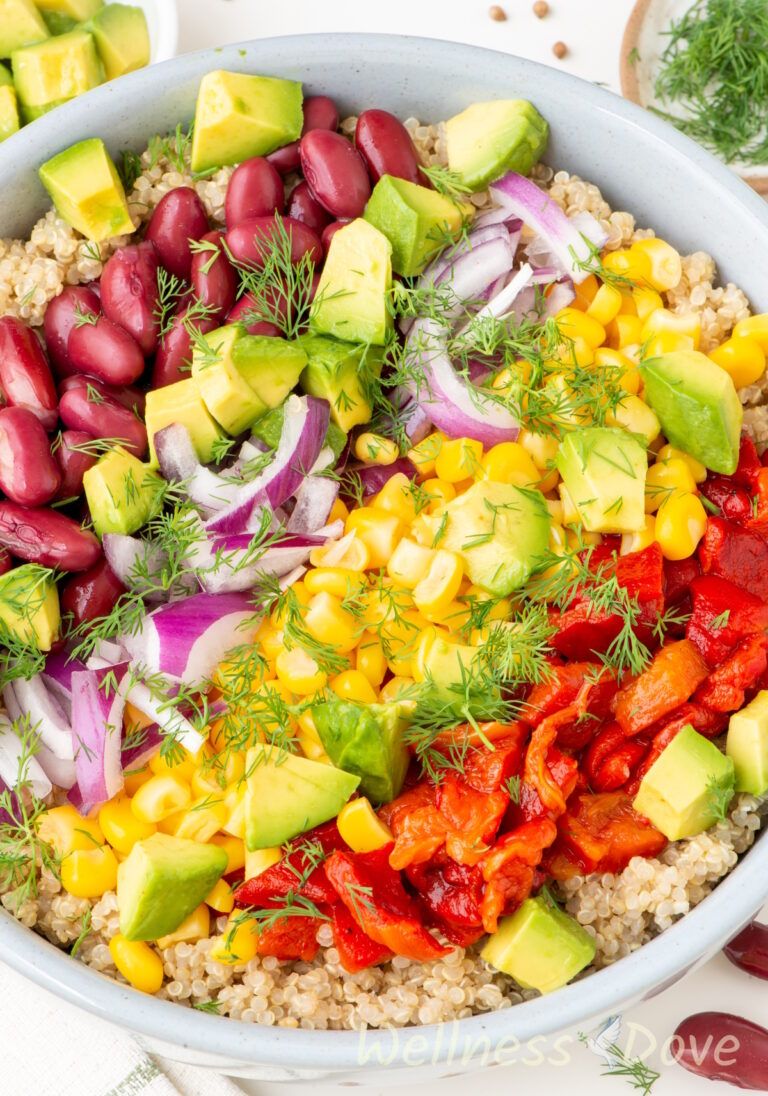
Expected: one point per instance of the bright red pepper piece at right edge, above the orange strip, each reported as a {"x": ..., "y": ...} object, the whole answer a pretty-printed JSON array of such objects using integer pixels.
[{"x": 723, "y": 616}]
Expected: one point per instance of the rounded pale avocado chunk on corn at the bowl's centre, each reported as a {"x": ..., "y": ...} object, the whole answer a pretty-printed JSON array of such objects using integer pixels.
[{"x": 502, "y": 533}]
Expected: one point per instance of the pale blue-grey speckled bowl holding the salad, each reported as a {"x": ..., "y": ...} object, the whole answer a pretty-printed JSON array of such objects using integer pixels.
[{"x": 641, "y": 165}]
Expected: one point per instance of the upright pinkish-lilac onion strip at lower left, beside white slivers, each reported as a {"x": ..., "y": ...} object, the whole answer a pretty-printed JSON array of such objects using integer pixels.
[{"x": 98, "y": 732}]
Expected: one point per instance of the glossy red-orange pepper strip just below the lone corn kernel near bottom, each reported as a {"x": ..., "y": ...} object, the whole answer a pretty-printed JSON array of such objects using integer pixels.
[{"x": 374, "y": 895}]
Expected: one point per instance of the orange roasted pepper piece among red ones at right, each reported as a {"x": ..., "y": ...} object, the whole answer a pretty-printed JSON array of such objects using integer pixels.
[{"x": 674, "y": 675}]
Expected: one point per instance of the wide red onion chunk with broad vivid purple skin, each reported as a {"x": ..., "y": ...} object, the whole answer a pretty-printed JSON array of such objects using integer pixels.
[{"x": 186, "y": 641}]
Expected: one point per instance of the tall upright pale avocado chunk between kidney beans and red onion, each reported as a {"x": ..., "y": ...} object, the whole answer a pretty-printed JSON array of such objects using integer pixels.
[{"x": 352, "y": 302}]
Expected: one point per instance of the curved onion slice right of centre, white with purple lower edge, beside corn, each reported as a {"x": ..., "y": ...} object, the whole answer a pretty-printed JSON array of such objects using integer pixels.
[{"x": 453, "y": 407}]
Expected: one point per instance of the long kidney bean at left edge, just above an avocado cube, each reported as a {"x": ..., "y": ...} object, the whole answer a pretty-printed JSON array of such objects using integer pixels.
[{"x": 48, "y": 538}]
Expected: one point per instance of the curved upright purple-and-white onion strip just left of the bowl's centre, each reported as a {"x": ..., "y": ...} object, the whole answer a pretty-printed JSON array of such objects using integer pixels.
[{"x": 305, "y": 426}]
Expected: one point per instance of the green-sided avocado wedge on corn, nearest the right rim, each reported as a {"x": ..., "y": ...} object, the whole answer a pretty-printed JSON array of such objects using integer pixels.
[{"x": 698, "y": 407}]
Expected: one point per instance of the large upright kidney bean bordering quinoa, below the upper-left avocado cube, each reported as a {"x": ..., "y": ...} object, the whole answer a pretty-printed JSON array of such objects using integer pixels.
[{"x": 130, "y": 293}]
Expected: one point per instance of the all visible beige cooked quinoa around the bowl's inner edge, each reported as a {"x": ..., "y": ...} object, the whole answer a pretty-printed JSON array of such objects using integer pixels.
[{"x": 621, "y": 911}]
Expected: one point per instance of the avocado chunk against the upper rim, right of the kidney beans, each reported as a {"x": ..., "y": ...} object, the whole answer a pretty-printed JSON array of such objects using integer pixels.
[{"x": 488, "y": 140}]
